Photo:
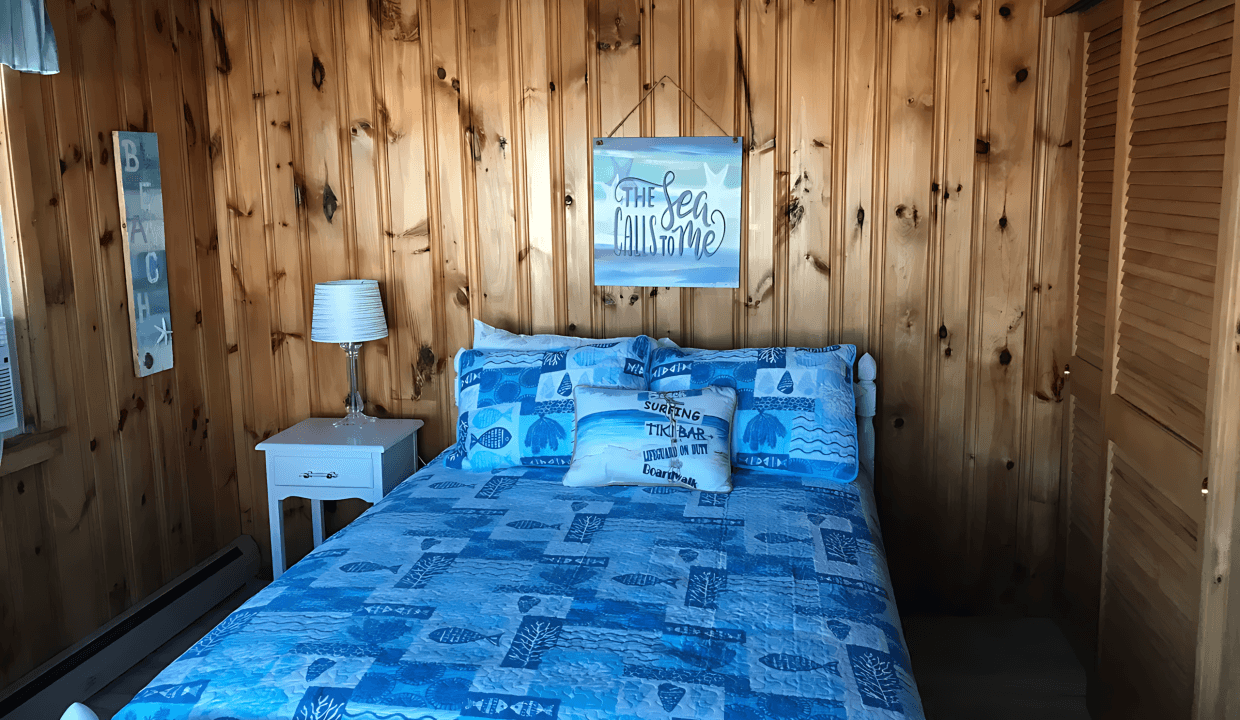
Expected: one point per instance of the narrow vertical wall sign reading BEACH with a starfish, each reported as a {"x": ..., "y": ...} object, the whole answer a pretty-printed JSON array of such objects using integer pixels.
[{"x": 142, "y": 206}]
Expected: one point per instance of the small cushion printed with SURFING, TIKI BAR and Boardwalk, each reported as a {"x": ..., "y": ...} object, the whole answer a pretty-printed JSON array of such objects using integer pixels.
[{"x": 675, "y": 439}]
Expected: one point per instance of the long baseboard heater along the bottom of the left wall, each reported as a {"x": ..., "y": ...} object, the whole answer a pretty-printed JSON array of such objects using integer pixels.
[{"x": 89, "y": 667}]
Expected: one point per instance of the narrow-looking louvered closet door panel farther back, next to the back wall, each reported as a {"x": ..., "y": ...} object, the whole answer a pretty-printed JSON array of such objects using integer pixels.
[{"x": 1088, "y": 478}]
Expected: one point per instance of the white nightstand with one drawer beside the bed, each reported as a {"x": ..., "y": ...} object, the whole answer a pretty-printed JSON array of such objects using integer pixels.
[{"x": 318, "y": 462}]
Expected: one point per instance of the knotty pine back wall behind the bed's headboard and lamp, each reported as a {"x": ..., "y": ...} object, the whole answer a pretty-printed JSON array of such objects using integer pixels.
[{"x": 910, "y": 189}]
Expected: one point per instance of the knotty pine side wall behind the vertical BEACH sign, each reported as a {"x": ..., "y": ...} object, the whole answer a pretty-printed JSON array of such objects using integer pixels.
[{"x": 139, "y": 479}]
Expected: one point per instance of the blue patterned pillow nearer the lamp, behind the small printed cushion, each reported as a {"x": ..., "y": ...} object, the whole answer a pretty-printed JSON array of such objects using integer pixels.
[{"x": 516, "y": 408}]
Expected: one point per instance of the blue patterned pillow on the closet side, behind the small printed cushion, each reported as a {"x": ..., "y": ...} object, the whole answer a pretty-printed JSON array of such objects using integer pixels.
[{"x": 795, "y": 406}]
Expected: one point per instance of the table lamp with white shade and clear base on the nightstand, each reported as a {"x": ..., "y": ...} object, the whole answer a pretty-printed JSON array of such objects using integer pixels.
[{"x": 349, "y": 313}]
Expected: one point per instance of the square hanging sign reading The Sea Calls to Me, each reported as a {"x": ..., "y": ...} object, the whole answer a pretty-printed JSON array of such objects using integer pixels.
[{"x": 668, "y": 213}]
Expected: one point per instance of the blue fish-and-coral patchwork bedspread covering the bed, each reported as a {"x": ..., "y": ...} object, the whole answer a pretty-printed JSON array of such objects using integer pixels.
[{"x": 508, "y": 595}]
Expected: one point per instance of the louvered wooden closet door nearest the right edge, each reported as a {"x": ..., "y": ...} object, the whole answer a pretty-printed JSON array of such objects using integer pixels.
[{"x": 1155, "y": 413}]
